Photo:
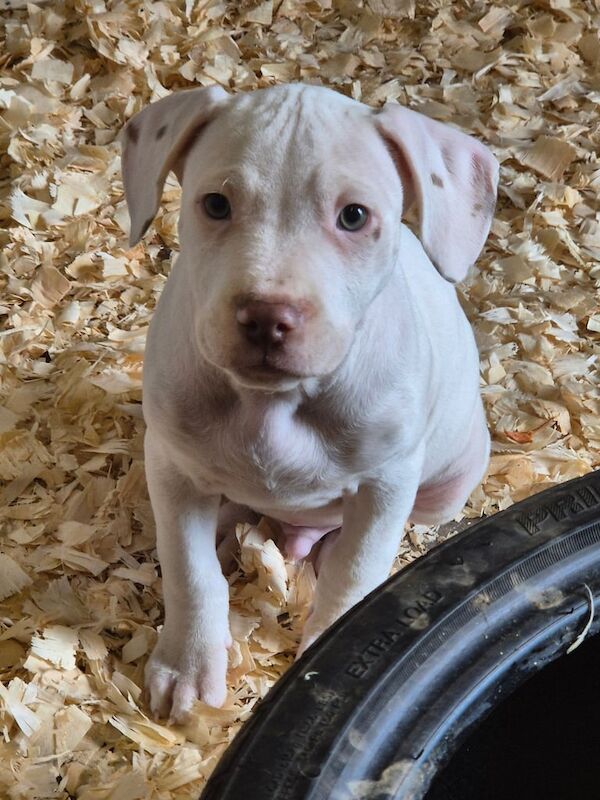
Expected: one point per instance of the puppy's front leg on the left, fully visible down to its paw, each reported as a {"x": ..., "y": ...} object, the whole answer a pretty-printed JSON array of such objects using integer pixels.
[{"x": 190, "y": 658}]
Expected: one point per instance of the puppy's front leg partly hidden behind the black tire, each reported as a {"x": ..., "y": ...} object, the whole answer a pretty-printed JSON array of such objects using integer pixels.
[{"x": 362, "y": 555}]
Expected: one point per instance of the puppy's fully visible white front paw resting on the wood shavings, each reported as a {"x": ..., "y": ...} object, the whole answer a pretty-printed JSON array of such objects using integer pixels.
[{"x": 181, "y": 671}]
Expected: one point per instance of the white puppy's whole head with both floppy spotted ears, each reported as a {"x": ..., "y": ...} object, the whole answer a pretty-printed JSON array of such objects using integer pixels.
[{"x": 290, "y": 219}]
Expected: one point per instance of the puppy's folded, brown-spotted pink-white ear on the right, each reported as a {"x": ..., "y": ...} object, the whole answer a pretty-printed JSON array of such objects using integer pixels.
[{"x": 451, "y": 177}]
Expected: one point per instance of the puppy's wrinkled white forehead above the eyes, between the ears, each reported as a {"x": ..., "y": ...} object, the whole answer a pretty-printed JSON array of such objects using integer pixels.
[{"x": 272, "y": 136}]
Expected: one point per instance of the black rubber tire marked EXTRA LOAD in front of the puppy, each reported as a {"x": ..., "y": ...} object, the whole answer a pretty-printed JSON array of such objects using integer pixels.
[{"x": 384, "y": 698}]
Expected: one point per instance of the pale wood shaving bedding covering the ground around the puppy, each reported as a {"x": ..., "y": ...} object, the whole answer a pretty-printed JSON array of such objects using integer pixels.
[{"x": 79, "y": 579}]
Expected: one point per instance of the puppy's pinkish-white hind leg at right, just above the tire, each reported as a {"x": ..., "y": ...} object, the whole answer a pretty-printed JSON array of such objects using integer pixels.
[{"x": 442, "y": 499}]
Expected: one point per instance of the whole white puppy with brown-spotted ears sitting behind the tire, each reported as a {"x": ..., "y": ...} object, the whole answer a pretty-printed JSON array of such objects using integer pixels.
[{"x": 308, "y": 359}]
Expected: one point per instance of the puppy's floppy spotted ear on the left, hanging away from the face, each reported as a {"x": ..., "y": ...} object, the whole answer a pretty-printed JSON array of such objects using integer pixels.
[{"x": 153, "y": 140}]
